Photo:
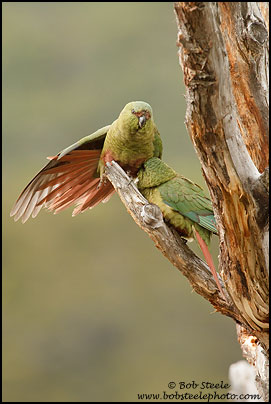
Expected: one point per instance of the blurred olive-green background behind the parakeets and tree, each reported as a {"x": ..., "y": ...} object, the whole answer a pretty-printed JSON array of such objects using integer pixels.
[{"x": 92, "y": 310}]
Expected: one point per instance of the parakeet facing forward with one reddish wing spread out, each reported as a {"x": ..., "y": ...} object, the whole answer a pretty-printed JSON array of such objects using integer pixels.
[{"x": 76, "y": 175}]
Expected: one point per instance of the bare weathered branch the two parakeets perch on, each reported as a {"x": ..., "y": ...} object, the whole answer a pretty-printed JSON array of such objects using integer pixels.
[{"x": 150, "y": 219}]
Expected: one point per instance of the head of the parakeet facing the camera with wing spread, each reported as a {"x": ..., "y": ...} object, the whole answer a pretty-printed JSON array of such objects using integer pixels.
[{"x": 138, "y": 116}]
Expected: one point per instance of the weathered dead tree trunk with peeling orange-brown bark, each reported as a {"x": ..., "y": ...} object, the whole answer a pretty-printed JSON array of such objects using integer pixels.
[{"x": 223, "y": 51}]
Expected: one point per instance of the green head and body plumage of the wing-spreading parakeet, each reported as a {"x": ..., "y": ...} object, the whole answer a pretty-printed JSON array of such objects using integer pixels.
[{"x": 124, "y": 140}]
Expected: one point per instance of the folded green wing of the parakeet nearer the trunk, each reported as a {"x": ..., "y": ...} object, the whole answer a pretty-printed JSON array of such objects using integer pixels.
[{"x": 188, "y": 198}]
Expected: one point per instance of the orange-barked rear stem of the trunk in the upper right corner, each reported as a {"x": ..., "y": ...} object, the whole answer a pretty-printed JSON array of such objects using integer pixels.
[{"x": 245, "y": 37}]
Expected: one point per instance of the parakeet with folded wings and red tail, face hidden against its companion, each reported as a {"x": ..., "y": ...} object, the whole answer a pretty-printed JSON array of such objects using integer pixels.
[{"x": 183, "y": 204}]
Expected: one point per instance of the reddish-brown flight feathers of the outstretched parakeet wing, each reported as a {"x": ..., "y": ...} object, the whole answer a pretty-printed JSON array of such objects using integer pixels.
[{"x": 70, "y": 180}]
